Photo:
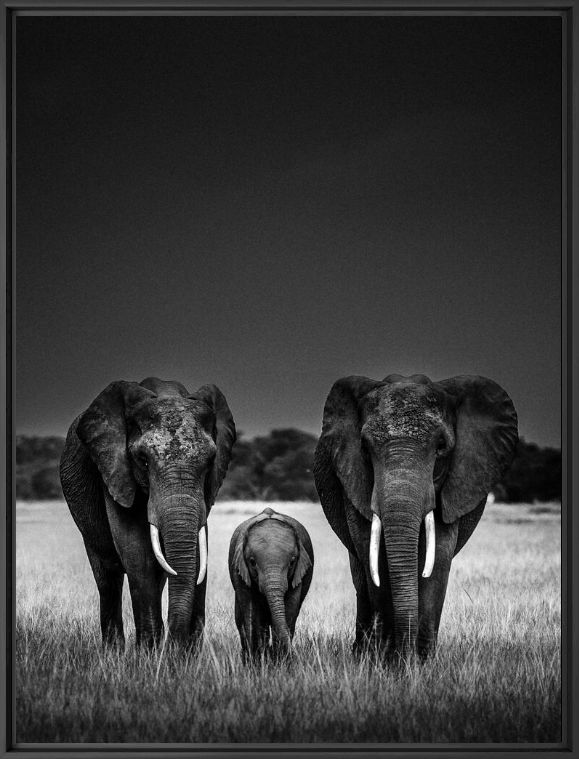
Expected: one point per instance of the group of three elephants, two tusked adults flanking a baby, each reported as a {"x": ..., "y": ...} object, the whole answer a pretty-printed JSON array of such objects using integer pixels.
[{"x": 403, "y": 468}]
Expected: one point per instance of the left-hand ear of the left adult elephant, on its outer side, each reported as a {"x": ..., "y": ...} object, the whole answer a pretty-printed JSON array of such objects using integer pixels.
[{"x": 102, "y": 429}]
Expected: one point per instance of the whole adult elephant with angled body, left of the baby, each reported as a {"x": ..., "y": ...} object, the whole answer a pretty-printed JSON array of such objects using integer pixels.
[{"x": 140, "y": 470}]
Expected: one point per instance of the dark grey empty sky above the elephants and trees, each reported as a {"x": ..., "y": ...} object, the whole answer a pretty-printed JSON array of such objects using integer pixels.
[{"x": 271, "y": 203}]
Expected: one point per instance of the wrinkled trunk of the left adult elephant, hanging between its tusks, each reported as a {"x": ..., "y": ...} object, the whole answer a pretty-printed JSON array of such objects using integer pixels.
[{"x": 180, "y": 521}]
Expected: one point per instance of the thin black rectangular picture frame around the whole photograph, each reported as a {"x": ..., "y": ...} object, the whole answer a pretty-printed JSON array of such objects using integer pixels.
[{"x": 567, "y": 10}]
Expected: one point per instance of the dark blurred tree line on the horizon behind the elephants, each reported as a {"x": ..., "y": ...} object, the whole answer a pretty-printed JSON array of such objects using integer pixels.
[{"x": 278, "y": 467}]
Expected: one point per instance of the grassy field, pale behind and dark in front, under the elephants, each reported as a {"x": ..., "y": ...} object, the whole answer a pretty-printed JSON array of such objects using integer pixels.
[{"x": 495, "y": 677}]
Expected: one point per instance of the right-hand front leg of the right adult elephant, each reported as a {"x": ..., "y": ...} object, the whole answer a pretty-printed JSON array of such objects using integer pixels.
[{"x": 432, "y": 590}]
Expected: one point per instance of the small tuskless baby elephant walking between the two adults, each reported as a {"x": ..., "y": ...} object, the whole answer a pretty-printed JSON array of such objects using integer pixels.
[{"x": 271, "y": 562}]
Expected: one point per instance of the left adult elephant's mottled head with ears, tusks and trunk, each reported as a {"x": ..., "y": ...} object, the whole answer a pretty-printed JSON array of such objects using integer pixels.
[{"x": 163, "y": 449}]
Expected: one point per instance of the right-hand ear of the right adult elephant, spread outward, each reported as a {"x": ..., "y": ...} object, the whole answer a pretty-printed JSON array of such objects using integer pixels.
[{"x": 486, "y": 435}]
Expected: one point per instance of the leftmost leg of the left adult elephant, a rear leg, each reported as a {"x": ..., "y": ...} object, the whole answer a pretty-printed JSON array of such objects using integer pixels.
[{"x": 109, "y": 575}]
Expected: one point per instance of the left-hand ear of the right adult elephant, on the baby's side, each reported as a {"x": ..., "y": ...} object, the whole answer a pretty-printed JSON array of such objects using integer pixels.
[{"x": 341, "y": 439}]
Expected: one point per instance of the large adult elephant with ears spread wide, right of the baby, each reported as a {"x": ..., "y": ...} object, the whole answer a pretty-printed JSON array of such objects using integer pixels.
[{"x": 409, "y": 463}]
